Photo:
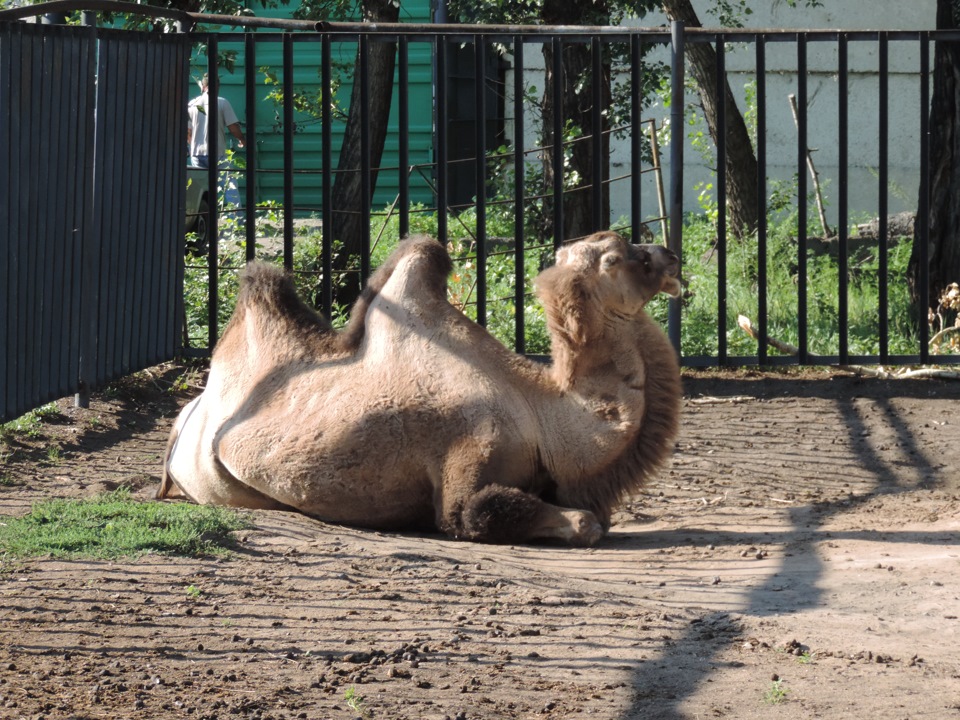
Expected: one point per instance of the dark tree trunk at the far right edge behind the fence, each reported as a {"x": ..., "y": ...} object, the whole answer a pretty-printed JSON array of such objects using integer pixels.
[{"x": 944, "y": 175}]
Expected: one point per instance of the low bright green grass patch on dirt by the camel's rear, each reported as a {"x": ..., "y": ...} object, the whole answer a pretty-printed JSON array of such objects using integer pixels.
[{"x": 114, "y": 525}]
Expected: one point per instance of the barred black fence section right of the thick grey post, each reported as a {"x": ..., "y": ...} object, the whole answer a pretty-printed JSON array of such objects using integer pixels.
[{"x": 840, "y": 86}]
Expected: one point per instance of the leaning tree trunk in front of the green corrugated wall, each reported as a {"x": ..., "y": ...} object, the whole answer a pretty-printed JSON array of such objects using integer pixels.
[{"x": 348, "y": 217}]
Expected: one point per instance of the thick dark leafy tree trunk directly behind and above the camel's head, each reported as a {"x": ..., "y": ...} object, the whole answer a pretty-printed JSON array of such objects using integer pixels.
[{"x": 576, "y": 106}]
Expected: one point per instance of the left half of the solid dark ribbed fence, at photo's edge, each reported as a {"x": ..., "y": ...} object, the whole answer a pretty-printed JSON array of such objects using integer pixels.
[{"x": 46, "y": 124}]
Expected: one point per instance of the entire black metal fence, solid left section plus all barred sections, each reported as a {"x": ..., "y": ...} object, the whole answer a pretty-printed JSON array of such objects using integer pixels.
[{"x": 92, "y": 207}]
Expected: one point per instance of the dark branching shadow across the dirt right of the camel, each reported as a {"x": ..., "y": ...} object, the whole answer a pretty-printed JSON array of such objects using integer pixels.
[{"x": 662, "y": 686}]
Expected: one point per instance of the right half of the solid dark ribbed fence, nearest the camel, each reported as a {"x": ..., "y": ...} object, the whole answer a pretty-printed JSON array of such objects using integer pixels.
[{"x": 140, "y": 179}]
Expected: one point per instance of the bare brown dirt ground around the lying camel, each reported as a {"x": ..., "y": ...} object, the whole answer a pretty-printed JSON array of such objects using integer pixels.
[{"x": 798, "y": 558}]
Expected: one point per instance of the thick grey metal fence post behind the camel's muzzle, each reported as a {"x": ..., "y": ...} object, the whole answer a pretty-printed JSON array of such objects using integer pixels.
[{"x": 678, "y": 51}]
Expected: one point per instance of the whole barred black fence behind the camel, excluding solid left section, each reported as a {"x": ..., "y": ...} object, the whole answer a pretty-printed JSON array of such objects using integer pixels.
[{"x": 789, "y": 325}]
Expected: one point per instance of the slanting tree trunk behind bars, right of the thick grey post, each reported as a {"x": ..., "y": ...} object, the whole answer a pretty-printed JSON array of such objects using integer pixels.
[{"x": 741, "y": 164}]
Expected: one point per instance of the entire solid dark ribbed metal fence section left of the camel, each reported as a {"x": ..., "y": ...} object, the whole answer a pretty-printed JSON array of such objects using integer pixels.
[{"x": 92, "y": 129}]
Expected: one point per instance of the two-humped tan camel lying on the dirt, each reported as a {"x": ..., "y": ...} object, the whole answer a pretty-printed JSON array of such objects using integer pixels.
[{"x": 415, "y": 418}]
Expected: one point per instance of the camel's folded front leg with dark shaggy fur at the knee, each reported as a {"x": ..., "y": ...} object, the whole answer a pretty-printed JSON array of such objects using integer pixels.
[{"x": 499, "y": 514}]
